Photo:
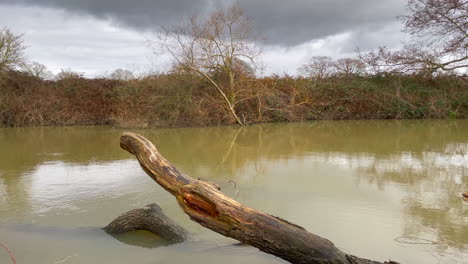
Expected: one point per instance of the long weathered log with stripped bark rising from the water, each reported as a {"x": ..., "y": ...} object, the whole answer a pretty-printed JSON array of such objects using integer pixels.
[{"x": 207, "y": 205}]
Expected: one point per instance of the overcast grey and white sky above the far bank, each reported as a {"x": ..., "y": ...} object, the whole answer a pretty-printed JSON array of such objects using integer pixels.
[{"x": 98, "y": 36}]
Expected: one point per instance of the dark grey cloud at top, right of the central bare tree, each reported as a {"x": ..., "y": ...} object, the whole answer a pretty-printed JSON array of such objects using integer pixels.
[{"x": 294, "y": 22}]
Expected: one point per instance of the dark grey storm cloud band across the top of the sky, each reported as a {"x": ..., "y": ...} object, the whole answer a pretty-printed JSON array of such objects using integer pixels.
[{"x": 284, "y": 23}]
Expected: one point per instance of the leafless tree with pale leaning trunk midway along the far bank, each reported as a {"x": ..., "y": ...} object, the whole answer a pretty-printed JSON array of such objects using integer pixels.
[{"x": 219, "y": 48}]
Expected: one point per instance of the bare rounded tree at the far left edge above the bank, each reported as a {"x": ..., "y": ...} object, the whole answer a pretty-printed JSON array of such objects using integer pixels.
[{"x": 11, "y": 50}]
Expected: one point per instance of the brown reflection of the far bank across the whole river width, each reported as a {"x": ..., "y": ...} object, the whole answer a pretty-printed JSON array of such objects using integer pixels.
[{"x": 24, "y": 148}]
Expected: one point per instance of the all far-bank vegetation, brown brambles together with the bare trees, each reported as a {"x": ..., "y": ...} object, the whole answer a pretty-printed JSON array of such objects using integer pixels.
[{"x": 212, "y": 82}]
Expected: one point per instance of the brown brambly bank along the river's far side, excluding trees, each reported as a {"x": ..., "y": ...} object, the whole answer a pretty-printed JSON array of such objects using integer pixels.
[{"x": 186, "y": 100}]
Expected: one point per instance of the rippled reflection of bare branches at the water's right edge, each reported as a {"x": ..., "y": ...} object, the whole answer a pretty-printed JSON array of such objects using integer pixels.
[{"x": 435, "y": 204}]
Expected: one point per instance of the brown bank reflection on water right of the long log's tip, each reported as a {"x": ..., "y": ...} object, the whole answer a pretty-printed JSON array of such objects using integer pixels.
[{"x": 195, "y": 150}]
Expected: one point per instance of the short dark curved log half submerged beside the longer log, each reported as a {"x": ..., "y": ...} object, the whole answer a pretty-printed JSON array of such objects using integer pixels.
[{"x": 150, "y": 218}]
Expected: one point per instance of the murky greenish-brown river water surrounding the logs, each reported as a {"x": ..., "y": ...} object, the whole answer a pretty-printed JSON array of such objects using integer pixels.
[{"x": 396, "y": 182}]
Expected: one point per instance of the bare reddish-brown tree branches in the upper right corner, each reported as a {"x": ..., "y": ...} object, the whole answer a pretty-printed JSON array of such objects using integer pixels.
[{"x": 439, "y": 31}]
